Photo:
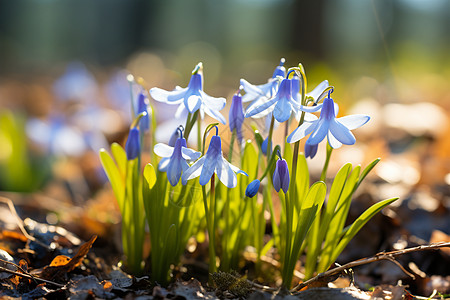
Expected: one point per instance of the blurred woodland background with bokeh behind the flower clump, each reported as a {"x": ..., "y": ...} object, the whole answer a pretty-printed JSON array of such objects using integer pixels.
[{"x": 64, "y": 94}]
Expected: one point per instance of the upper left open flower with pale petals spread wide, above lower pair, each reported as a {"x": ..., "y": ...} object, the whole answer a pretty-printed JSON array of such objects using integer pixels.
[{"x": 192, "y": 97}]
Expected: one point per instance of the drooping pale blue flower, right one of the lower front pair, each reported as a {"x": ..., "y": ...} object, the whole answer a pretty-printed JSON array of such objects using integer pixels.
[{"x": 213, "y": 162}]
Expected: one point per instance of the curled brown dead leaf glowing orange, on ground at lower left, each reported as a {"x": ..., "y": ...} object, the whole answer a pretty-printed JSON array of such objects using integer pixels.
[{"x": 57, "y": 268}]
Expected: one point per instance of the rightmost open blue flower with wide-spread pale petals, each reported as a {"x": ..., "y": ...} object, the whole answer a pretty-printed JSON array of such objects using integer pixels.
[{"x": 336, "y": 129}]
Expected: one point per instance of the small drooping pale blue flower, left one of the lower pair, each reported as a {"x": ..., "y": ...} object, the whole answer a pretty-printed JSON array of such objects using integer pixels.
[{"x": 175, "y": 158}]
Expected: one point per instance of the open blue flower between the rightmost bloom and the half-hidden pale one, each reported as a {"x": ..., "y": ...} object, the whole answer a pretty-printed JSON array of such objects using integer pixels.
[{"x": 282, "y": 104}]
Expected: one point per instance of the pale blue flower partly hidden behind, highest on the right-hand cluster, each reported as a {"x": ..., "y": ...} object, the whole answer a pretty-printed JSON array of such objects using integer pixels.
[{"x": 255, "y": 92}]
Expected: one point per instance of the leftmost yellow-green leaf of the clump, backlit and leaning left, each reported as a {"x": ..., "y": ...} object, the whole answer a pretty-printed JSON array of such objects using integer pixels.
[{"x": 114, "y": 176}]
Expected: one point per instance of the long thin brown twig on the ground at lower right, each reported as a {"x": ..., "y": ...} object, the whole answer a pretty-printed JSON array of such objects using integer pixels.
[{"x": 377, "y": 257}]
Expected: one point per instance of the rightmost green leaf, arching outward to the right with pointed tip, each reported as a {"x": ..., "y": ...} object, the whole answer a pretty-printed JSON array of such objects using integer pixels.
[{"x": 358, "y": 224}]
